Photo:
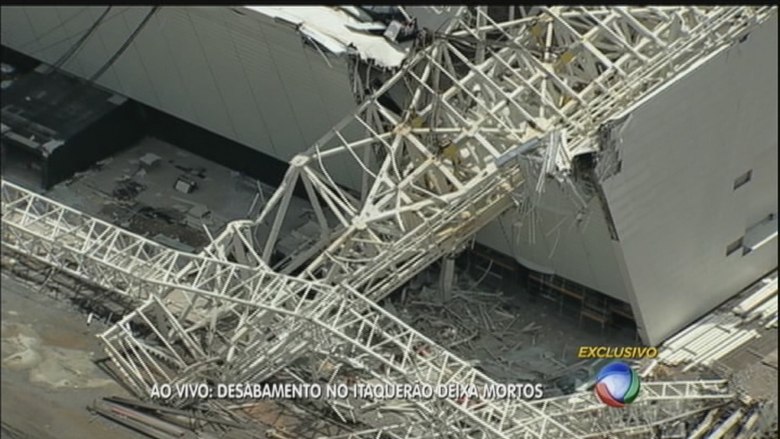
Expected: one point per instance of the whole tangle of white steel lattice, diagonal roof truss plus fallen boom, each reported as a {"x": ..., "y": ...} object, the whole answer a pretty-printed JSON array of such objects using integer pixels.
[{"x": 507, "y": 102}]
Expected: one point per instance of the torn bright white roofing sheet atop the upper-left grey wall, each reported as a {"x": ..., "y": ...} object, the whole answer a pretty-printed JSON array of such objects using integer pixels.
[{"x": 327, "y": 26}]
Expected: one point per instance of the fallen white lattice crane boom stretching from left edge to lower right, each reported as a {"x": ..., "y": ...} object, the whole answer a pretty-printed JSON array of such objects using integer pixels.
[{"x": 112, "y": 258}]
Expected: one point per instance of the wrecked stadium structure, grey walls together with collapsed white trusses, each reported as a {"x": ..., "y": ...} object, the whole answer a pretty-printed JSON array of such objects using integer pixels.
[{"x": 625, "y": 157}]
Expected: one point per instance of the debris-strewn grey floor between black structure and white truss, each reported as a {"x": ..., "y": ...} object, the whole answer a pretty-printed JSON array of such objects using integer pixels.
[{"x": 136, "y": 189}]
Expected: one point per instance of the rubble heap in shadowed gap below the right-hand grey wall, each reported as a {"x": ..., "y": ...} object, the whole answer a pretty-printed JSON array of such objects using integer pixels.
[{"x": 493, "y": 331}]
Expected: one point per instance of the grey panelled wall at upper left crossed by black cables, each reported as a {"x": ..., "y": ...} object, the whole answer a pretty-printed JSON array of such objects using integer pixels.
[{"x": 243, "y": 76}]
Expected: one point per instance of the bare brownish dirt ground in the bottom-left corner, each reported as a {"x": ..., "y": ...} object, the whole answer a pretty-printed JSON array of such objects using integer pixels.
[{"x": 48, "y": 374}]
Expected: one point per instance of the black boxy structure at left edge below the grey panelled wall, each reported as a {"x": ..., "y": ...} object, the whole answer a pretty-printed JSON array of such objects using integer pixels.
[{"x": 64, "y": 124}]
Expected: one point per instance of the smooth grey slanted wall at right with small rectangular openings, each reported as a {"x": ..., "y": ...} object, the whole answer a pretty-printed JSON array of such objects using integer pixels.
[{"x": 674, "y": 204}]
